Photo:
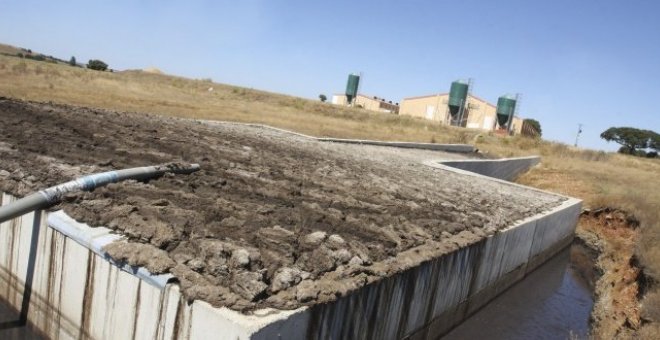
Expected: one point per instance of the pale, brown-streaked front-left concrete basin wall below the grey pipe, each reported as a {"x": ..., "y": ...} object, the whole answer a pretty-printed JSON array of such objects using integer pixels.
[{"x": 74, "y": 291}]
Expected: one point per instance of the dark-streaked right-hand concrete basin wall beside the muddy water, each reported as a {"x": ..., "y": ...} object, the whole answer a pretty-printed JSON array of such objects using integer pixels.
[{"x": 428, "y": 300}]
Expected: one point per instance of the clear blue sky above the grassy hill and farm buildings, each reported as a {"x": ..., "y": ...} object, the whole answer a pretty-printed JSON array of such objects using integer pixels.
[{"x": 590, "y": 62}]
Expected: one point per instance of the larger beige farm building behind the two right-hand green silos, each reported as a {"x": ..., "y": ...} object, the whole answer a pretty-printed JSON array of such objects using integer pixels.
[{"x": 479, "y": 114}]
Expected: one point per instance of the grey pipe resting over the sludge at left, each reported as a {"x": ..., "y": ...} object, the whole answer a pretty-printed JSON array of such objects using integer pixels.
[{"x": 52, "y": 195}]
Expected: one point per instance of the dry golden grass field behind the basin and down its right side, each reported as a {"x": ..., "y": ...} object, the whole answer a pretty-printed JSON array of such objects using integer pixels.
[{"x": 600, "y": 179}]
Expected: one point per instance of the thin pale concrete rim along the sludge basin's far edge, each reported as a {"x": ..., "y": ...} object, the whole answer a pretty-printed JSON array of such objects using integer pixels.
[{"x": 456, "y": 148}]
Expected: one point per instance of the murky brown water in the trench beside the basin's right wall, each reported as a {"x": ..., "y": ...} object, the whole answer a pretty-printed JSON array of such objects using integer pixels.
[{"x": 552, "y": 302}]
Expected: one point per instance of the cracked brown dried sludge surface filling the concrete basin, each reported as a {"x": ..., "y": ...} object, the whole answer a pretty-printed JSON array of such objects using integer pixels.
[{"x": 272, "y": 219}]
